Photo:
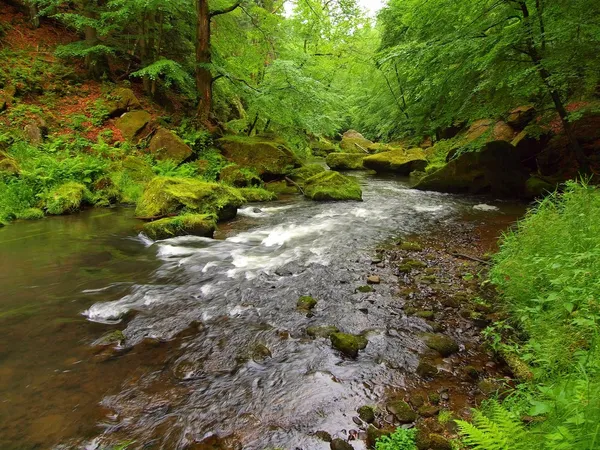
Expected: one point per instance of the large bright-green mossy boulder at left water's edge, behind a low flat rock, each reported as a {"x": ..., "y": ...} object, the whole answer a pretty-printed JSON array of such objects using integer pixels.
[{"x": 166, "y": 196}]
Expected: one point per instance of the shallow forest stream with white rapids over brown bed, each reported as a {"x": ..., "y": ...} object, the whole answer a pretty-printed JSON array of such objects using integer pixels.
[{"x": 215, "y": 346}]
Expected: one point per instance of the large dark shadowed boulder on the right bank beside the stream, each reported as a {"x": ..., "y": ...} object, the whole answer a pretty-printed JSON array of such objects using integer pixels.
[{"x": 496, "y": 169}]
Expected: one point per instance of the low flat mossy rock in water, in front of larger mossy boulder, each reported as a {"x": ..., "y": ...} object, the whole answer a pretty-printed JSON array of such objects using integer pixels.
[{"x": 196, "y": 224}]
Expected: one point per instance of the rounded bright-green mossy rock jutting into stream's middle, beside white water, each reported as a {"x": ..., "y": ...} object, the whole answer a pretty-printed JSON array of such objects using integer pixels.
[{"x": 330, "y": 185}]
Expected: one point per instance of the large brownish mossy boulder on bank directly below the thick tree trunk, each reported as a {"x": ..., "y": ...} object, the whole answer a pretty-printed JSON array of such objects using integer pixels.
[{"x": 269, "y": 158}]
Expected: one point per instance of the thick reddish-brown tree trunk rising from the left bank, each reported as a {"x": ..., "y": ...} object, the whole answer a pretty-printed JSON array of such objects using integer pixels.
[{"x": 203, "y": 61}]
